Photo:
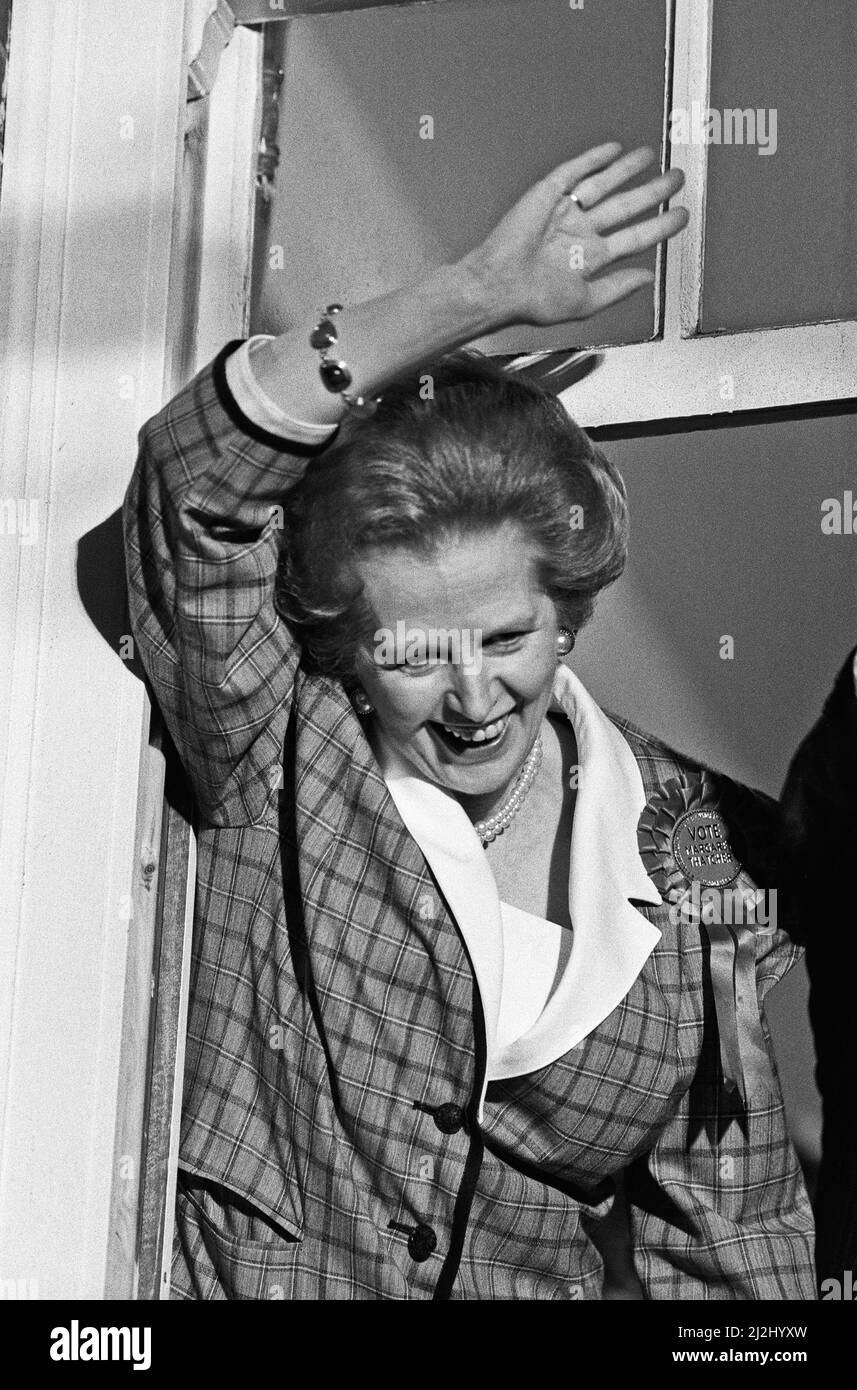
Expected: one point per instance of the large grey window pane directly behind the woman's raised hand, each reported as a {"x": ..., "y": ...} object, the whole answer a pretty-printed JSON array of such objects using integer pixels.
[{"x": 513, "y": 88}]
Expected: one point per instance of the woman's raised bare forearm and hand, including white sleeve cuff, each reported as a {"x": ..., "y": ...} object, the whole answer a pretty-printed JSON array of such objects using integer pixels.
[{"x": 555, "y": 256}]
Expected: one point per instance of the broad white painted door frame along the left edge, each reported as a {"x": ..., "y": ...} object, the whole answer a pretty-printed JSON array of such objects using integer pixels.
[{"x": 91, "y": 222}]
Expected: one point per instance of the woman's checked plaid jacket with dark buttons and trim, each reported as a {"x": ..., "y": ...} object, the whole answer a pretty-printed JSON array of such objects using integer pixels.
[{"x": 335, "y": 1052}]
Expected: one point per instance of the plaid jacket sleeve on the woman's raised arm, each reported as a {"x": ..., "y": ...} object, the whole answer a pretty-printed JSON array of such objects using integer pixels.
[{"x": 202, "y": 546}]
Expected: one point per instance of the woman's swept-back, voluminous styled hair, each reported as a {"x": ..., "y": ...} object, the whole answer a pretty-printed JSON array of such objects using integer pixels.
[{"x": 456, "y": 450}]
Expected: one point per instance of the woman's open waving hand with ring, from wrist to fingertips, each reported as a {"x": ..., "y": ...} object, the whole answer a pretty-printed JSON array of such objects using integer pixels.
[{"x": 556, "y": 255}]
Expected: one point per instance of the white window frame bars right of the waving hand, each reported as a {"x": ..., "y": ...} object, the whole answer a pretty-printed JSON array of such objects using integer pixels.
[{"x": 709, "y": 375}]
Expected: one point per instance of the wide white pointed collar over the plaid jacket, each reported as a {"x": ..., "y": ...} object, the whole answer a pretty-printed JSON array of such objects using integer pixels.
[{"x": 612, "y": 940}]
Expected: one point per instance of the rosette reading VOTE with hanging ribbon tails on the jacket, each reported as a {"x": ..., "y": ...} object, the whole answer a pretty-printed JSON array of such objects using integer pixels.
[{"x": 692, "y": 840}]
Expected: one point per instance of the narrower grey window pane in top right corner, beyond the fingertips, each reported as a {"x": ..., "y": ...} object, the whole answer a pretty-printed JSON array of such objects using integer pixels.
[{"x": 781, "y": 231}]
